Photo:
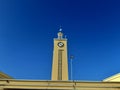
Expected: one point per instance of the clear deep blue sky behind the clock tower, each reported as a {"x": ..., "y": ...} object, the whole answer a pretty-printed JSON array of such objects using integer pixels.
[{"x": 27, "y": 29}]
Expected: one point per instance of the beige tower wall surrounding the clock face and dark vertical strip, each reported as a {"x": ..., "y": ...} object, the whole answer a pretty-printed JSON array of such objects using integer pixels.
[{"x": 64, "y": 60}]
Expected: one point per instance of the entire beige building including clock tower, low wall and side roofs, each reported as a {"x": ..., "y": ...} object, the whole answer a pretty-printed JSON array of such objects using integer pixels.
[{"x": 59, "y": 78}]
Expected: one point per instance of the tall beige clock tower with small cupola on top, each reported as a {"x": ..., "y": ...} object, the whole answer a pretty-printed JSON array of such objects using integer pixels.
[{"x": 60, "y": 60}]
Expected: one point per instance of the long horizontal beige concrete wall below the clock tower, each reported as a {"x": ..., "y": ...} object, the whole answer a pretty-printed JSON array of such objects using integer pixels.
[{"x": 56, "y": 85}]
